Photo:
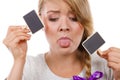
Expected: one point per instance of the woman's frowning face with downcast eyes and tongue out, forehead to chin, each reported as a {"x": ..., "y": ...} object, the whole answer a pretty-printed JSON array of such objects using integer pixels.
[{"x": 62, "y": 29}]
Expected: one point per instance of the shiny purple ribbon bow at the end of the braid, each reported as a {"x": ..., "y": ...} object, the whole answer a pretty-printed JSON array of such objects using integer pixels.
[{"x": 94, "y": 76}]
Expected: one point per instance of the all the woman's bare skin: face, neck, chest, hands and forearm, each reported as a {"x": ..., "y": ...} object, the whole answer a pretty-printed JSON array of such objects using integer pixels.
[{"x": 64, "y": 34}]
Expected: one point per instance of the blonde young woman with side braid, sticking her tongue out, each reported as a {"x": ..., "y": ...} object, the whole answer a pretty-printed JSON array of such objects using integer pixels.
[{"x": 67, "y": 24}]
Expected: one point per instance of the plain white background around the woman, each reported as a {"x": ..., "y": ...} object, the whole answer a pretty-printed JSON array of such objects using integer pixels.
[{"x": 106, "y": 17}]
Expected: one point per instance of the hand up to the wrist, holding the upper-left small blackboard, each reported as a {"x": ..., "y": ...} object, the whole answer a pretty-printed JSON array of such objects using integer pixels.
[{"x": 16, "y": 41}]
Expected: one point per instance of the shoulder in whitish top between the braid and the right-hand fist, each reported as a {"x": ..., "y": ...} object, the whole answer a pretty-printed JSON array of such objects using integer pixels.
[{"x": 100, "y": 64}]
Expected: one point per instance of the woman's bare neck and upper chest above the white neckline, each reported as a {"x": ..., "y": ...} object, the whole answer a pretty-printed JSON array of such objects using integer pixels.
[{"x": 64, "y": 65}]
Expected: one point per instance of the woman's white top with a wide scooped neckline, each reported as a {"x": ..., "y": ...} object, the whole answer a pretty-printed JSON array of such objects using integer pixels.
[{"x": 36, "y": 68}]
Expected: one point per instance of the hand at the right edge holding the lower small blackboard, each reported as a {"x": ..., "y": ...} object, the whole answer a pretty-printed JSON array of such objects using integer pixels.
[{"x": 112, "y": 55}]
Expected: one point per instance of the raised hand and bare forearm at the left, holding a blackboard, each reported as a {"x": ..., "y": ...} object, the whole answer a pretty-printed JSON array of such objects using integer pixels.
[{"x": 16, "y": 41}]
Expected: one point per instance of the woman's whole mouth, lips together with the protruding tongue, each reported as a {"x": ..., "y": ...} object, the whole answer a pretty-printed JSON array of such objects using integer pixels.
[{"x": 64, "y": 42}]
